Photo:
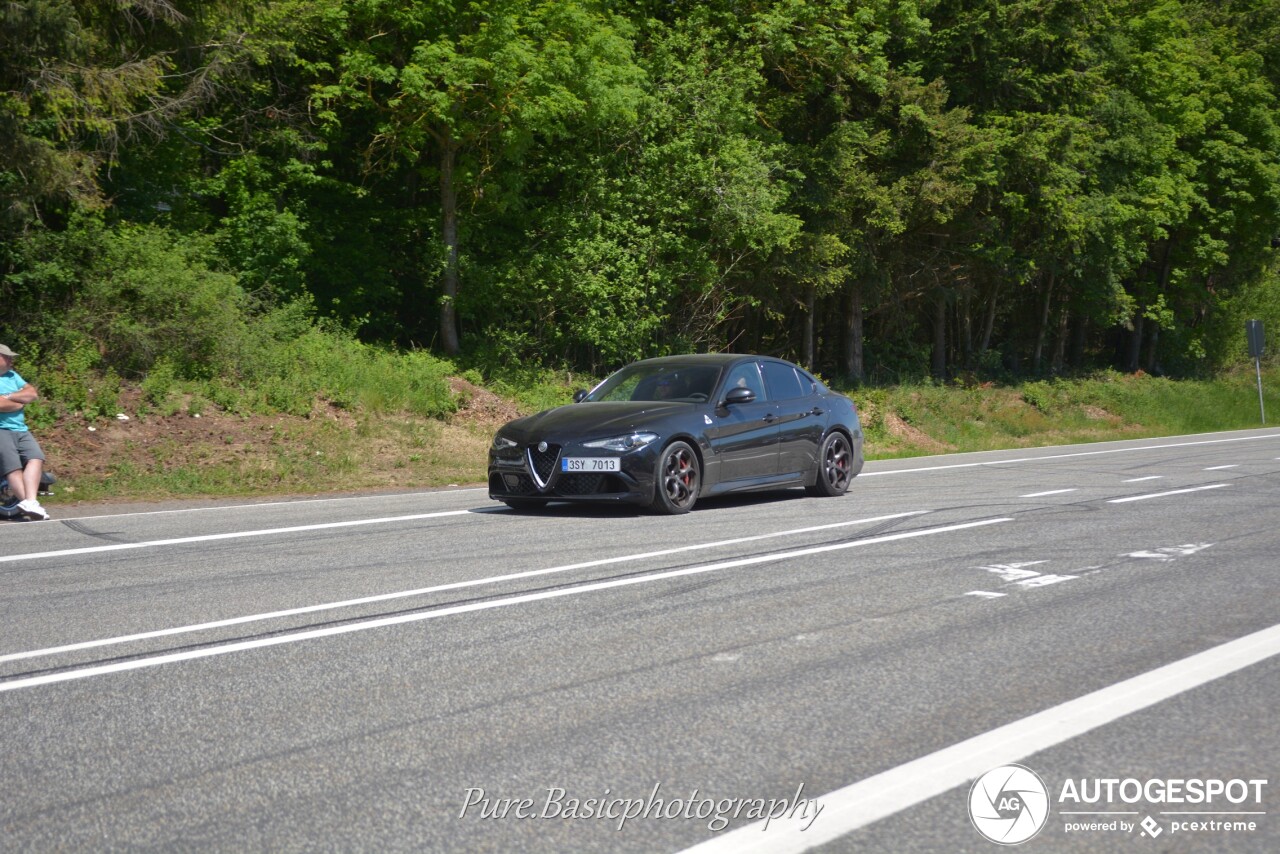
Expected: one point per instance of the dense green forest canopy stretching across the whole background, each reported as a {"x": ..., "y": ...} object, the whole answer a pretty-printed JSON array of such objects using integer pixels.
[{"x": 883, "y": 190}]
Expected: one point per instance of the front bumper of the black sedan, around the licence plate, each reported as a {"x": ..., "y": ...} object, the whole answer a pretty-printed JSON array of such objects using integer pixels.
[{"x": 525, "y": 473}]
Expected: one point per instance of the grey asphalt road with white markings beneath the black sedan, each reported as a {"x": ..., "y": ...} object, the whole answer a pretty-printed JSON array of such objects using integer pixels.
[{"x": 433, "y": 672}]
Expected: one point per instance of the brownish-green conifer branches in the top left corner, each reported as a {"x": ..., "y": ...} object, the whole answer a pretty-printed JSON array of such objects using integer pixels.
[{"x": 81, "y": 79}]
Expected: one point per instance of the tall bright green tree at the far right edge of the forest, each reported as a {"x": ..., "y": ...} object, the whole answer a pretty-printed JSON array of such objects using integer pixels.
[{"x": 1210, "y": 191}]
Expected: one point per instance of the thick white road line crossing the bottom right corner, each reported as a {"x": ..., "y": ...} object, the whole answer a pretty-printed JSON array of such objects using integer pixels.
[{"x": 894, "y": 791}]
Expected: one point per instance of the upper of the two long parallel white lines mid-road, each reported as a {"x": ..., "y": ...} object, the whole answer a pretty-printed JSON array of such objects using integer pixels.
[{"x": 440, "y": 588}]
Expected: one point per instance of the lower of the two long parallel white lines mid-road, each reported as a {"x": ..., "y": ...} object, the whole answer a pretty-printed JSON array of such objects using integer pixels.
[{"x": 365, "y": 625}]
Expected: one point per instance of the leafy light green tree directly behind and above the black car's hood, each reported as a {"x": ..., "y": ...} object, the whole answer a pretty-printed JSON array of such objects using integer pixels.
[{"x": 642, "y": 238}]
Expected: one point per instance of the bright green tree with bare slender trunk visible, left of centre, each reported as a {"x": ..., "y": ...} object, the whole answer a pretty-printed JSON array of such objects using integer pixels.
[{"x": 461, "y": 93}]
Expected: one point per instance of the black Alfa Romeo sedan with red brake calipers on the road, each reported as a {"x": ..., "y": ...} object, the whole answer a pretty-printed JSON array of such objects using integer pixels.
[{"x": 665, "y": 432}]
